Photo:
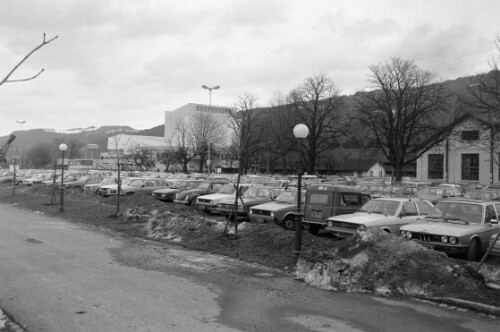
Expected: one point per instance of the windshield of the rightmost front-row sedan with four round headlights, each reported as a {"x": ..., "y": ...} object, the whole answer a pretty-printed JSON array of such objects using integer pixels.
[{"x": 456, "y": 211}]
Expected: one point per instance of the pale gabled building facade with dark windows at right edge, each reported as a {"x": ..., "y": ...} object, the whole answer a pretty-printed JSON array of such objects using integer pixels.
[{"x": 467, "y": 156}]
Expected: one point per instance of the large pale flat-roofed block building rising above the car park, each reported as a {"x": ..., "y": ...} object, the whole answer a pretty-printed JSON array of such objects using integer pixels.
[{"x": 171, "y": 117}]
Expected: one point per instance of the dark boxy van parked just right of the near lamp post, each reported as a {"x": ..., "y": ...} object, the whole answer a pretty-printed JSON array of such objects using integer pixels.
[{"x": 327, "y": 200}]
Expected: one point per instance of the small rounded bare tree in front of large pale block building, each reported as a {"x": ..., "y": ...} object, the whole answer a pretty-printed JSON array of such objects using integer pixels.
[{"x": 208, "y": 135}]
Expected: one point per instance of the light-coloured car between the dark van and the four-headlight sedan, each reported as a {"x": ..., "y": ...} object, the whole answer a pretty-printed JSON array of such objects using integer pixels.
[{"x": 388, "y": 214}]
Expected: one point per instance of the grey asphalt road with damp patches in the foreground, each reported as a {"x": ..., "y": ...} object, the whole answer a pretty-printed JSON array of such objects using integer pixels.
[{"x": 60, "y": 276}]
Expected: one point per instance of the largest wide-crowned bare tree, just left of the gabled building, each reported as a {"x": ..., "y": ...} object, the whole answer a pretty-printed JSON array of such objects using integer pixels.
[{"x": 401, "y": 115}]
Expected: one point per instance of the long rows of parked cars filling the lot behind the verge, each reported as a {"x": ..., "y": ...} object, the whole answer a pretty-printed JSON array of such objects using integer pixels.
[{"x": 444, "y": 217}]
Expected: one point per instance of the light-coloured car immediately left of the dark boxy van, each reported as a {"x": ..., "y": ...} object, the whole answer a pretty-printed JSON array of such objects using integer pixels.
[{"x": 281, "y": 211}]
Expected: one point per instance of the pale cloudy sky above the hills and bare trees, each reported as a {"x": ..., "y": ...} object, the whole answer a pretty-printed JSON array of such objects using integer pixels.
[{"x": 126, "y": 62}]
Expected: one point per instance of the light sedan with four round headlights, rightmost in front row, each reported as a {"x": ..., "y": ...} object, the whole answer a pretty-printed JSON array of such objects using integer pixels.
[{"x": 456, "y": 226}]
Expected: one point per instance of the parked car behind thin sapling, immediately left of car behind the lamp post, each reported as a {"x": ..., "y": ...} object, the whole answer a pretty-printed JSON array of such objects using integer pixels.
[{"x": 251, "y": 197}]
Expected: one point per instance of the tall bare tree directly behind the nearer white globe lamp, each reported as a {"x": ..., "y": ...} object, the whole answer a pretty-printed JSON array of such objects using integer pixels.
[{"x": 317, "y": 104}]
